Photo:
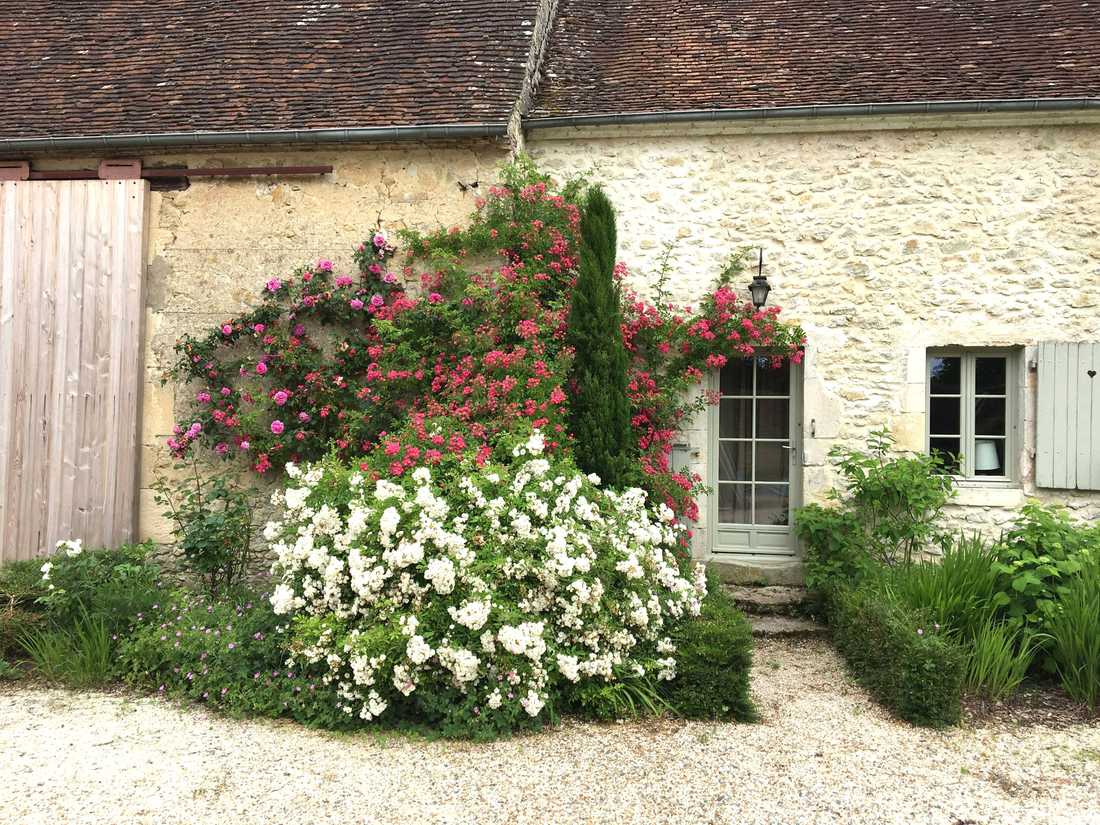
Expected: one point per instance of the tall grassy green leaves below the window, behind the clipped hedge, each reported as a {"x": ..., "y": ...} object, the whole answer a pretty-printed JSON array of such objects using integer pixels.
[{"x": 958, "y": 590}]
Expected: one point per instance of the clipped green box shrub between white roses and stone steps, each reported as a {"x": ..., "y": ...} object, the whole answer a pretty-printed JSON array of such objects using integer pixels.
[{"x": 714, "y": 658}]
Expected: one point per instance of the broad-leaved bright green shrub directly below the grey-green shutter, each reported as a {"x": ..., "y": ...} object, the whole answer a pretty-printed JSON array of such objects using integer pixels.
[{"x": 1038, "y": 560}]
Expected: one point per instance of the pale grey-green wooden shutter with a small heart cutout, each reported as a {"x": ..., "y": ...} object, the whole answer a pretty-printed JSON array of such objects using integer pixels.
[{"x": 1068, "y": 455}]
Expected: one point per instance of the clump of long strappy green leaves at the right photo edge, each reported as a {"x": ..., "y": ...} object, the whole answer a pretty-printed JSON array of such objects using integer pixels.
[{"x": 1075, "y": 636}]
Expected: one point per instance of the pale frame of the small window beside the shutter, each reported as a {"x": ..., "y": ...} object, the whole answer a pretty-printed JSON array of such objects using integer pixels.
[{"x": 1014, "y": 383}]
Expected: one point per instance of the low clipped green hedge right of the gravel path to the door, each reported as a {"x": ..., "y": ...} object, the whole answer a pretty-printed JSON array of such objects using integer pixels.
[{"x": 897, "y": 654}]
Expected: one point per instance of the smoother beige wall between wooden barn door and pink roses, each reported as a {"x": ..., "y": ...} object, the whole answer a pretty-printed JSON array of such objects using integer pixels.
[{"x": 213, "y": 246}]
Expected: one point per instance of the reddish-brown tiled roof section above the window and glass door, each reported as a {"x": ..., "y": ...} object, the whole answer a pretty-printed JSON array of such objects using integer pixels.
[{"x": 655, "y": 56}]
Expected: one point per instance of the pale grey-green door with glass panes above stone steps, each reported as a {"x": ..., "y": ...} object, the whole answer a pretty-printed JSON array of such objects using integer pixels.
[{"x": 755, "y": 441}]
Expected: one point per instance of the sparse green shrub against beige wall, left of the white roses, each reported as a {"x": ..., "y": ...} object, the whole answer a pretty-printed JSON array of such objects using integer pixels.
[{"x": 213, "y": 522}]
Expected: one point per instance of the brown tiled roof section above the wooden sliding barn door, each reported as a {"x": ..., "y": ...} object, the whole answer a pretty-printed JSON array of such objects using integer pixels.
[{"x": 71, "y": 69}]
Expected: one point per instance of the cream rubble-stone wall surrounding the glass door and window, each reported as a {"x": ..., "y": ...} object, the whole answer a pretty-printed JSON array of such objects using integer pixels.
[{"x": 882, "y": 245}]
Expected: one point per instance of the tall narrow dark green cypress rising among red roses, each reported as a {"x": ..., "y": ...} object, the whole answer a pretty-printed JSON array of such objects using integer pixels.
[{"x": 600, "y": 411}]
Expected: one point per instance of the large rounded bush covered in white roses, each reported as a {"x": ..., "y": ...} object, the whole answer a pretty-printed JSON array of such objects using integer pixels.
[{"x": 477, "y": 598}]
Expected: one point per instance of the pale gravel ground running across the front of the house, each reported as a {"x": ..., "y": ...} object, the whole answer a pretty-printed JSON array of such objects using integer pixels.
[{"x": 823, "y": 754}]
